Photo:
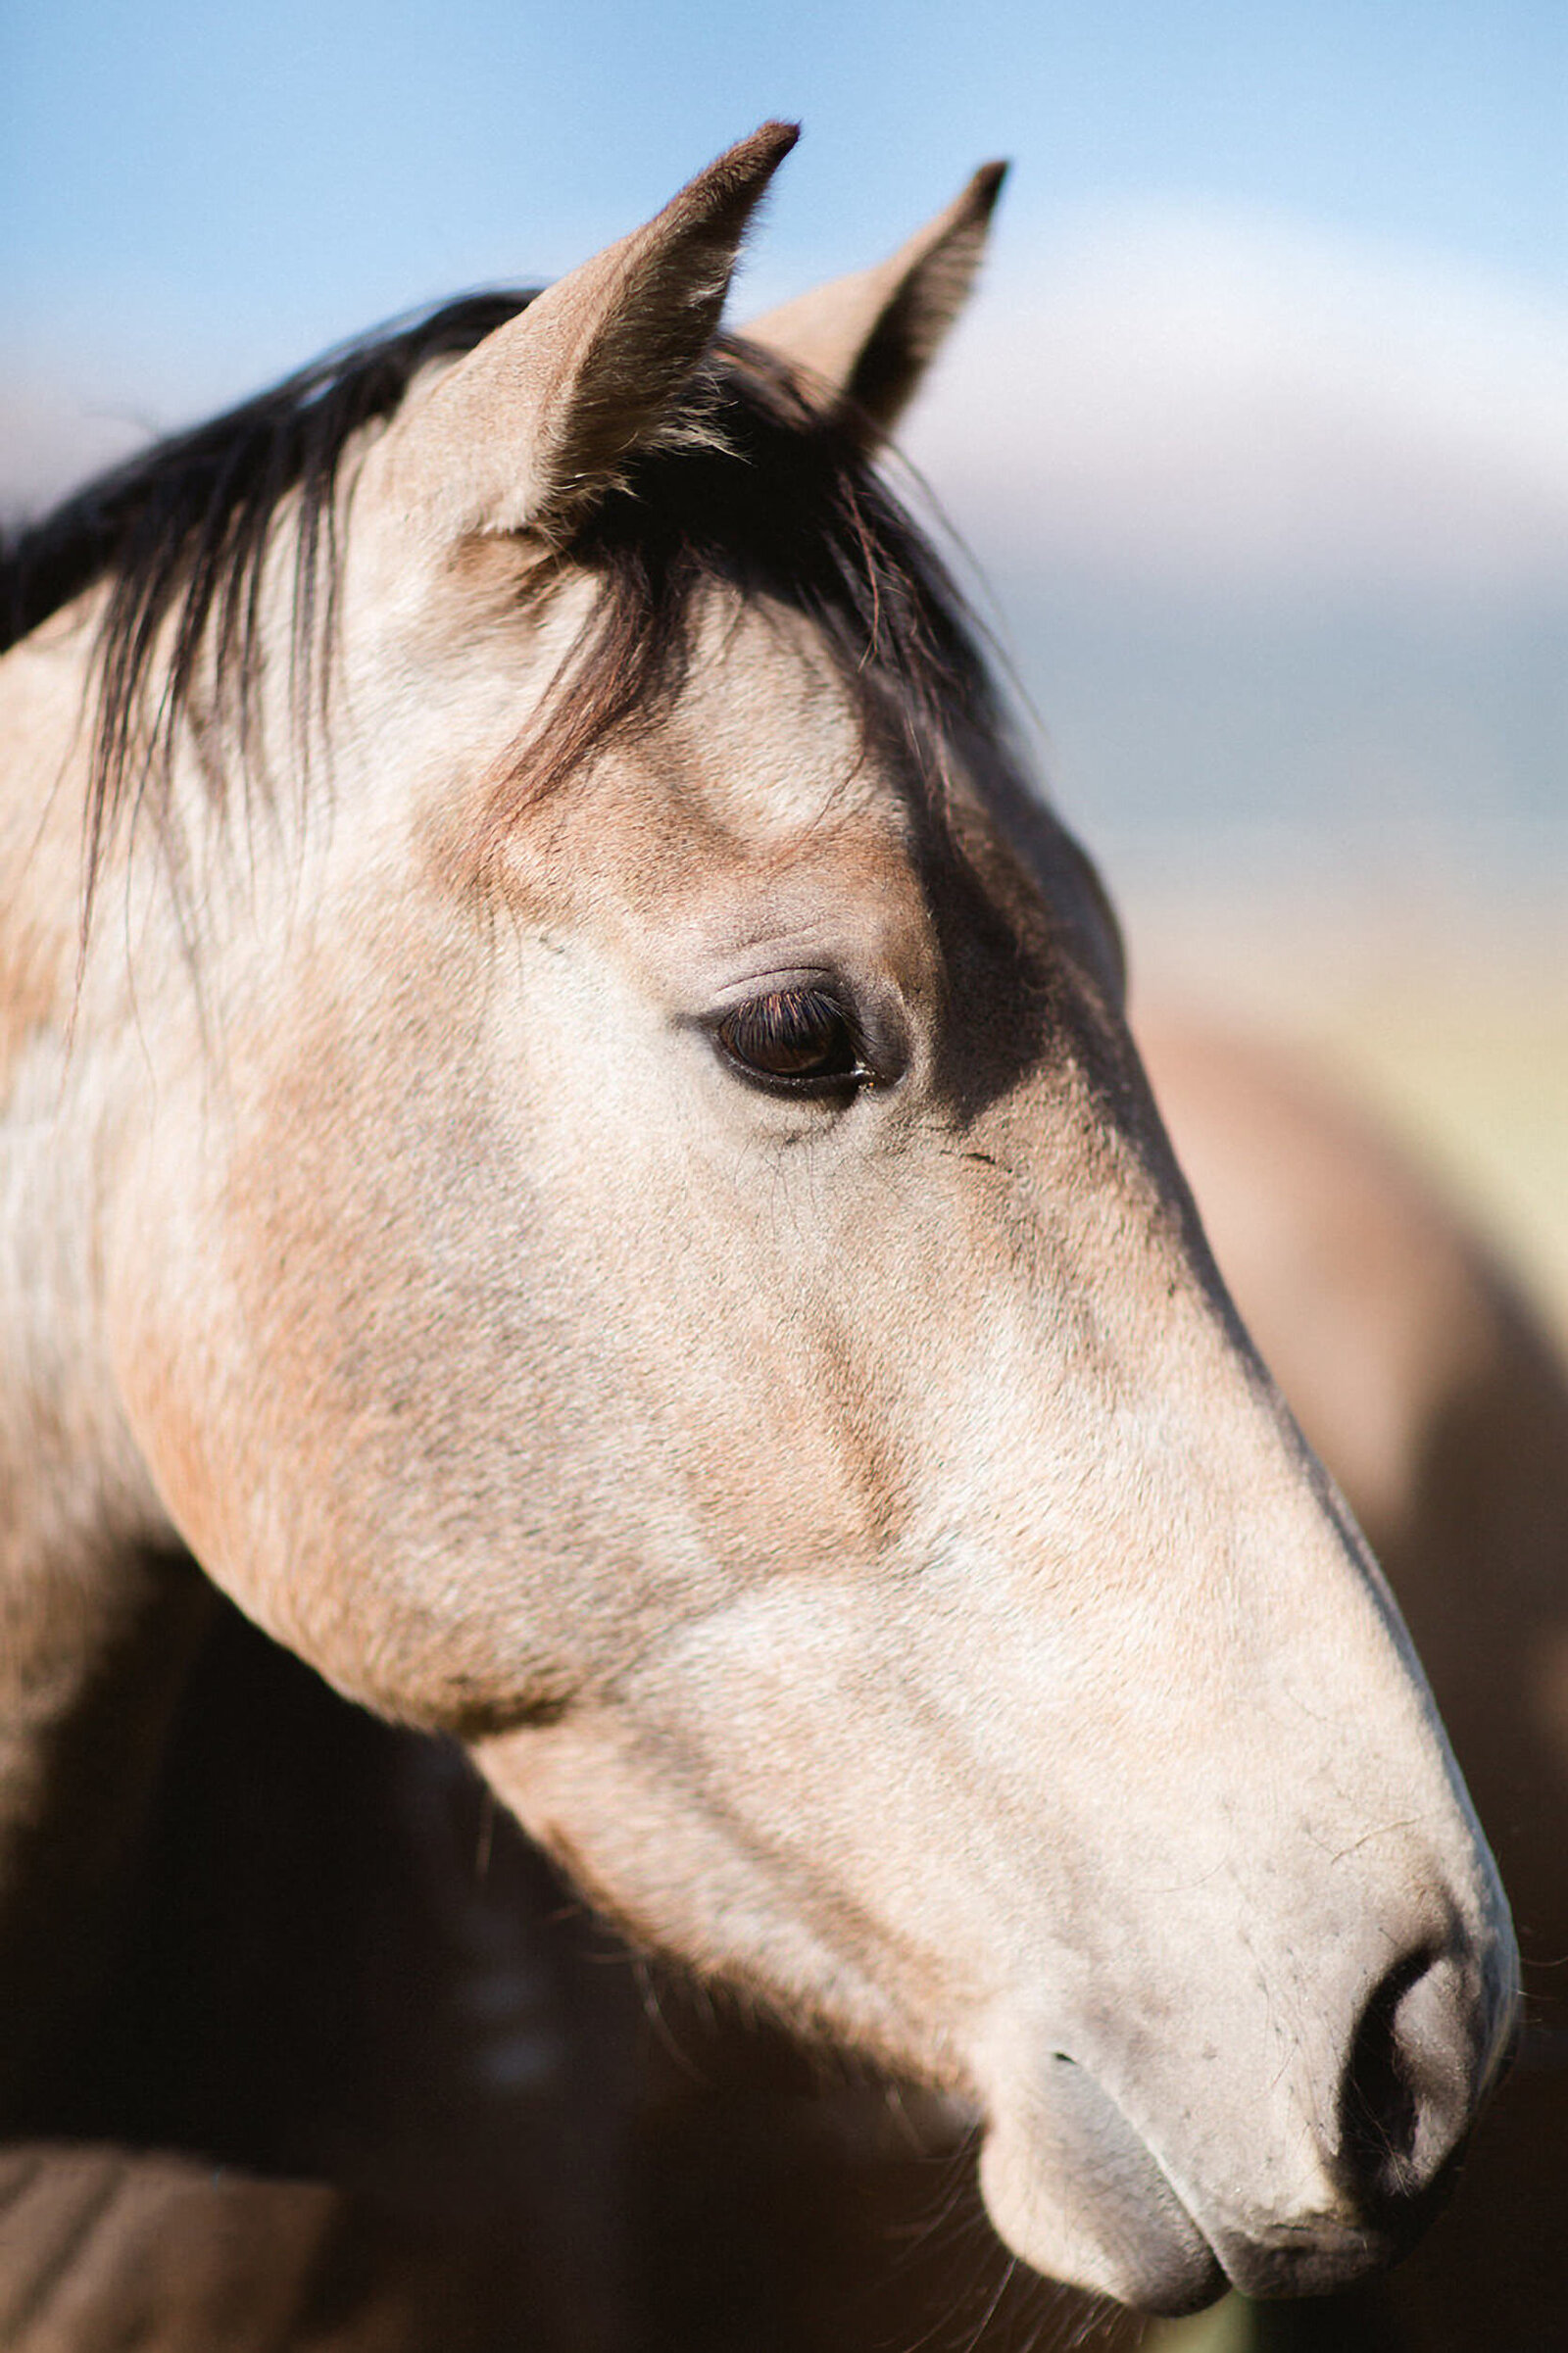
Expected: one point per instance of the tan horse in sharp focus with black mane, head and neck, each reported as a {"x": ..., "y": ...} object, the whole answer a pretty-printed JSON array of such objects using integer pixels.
[{"x": 599, "y": 1187}]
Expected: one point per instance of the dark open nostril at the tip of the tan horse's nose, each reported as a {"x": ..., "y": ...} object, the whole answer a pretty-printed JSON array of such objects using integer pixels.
[{"x": 1407, "y": 2093}]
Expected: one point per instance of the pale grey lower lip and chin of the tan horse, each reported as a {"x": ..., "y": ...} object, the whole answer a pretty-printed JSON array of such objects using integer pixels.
[{"x": 1077, "y": 2194}]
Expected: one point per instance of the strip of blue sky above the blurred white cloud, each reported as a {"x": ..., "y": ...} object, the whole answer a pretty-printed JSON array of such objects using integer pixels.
[{"x": 272, "y": 178}]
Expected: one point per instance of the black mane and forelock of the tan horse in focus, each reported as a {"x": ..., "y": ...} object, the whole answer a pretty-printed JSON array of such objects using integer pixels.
[{"x": 766, "y": 498}]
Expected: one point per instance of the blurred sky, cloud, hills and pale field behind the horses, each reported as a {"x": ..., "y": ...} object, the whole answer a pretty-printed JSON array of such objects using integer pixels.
[{"x": 1256, "y": 434}]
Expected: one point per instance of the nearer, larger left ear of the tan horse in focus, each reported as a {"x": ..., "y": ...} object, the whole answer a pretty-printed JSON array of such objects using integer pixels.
[{"x": 531, "y": 427}]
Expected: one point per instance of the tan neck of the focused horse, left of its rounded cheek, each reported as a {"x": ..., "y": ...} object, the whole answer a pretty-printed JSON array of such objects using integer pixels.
[{"x": 88, "y": 1618}]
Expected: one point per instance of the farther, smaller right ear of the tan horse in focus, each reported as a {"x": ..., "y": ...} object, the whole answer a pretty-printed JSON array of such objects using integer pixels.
[{"x": 868, "y": 340}]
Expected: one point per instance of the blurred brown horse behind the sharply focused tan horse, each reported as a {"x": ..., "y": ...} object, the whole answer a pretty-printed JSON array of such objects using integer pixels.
[{"x": 338, "y": 1952}]
